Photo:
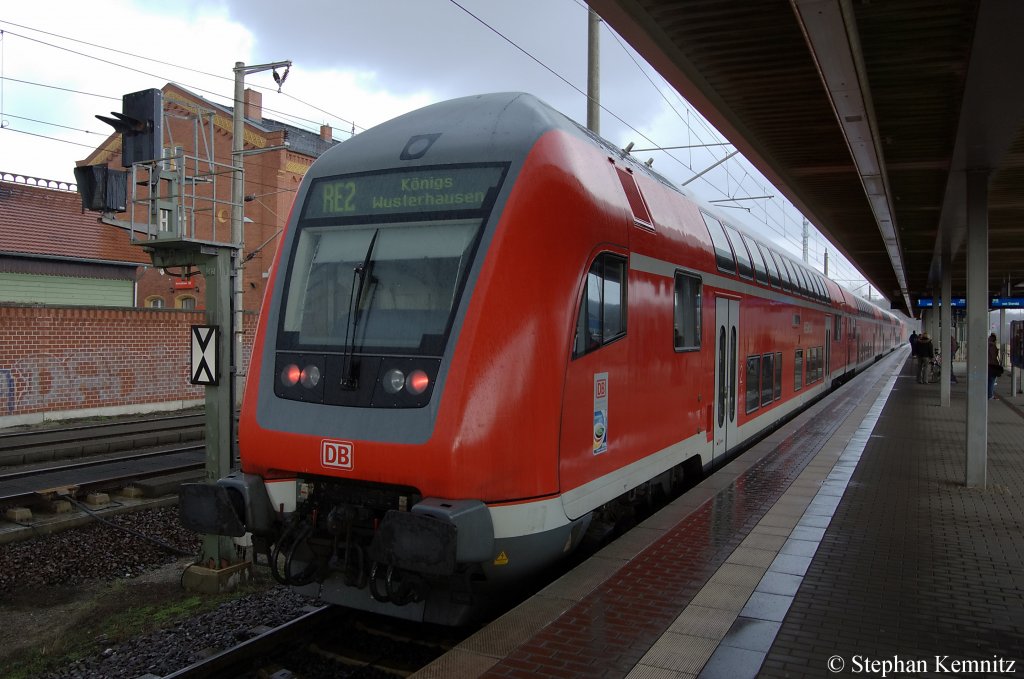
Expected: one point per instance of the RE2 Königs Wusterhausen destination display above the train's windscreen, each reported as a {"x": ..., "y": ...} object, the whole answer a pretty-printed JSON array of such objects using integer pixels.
[{"x": 421, "y": 190}]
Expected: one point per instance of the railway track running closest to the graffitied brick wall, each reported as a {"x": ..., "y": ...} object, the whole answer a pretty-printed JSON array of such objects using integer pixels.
[{"x": 47, "y": 446}]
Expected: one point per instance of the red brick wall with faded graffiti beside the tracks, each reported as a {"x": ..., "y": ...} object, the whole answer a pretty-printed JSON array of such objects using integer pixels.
[{"x": 82, "y": 359}]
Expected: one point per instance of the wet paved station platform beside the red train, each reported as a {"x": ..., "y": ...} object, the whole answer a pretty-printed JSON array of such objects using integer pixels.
[{"x": 844, "y": 543}]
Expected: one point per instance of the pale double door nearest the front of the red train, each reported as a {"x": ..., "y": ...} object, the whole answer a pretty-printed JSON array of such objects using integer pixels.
[{"x": 727, "y": 367}]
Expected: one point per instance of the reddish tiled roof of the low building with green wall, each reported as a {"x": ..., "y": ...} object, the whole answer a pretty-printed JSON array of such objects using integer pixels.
[{"x": 36, "y": 221}]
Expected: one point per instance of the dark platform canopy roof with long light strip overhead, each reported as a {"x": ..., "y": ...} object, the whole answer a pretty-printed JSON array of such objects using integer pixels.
[{"x": 866, "y": 114}]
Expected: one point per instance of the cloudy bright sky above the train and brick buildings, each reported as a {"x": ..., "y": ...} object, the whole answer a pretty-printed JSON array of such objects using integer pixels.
[{"x": 356, "y": 64}]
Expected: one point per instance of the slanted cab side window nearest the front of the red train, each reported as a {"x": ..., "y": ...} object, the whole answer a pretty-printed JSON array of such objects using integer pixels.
[{"x": 603, "y": 311}]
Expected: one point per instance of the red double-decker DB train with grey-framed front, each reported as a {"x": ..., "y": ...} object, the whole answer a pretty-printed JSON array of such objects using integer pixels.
[{"x": 488, "y": 328}]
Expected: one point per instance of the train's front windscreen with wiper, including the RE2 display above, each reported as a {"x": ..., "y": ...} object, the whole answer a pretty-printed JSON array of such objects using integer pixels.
[{"x": 381, "y": 260}]
